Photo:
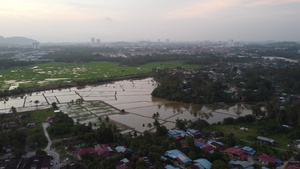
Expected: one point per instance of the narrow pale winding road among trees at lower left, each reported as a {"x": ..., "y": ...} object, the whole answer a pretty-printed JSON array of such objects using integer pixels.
[{"x": 56, "y": 162}]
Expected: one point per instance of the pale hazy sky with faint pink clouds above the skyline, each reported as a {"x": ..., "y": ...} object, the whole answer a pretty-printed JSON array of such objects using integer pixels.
[{"x": 136, "y": 20}]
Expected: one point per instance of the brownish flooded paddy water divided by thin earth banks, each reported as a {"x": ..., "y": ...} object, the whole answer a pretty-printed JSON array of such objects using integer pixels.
[{"x": 132, "y": 96}]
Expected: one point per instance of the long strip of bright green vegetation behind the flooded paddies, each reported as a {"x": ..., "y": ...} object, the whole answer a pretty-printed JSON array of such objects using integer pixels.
[{"x": 79, "y": 74}]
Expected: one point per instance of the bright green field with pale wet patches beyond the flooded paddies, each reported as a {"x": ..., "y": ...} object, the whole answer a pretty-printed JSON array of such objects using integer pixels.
[{"x": 55, "y": 72}]
